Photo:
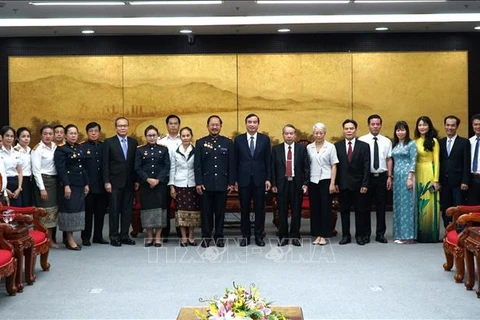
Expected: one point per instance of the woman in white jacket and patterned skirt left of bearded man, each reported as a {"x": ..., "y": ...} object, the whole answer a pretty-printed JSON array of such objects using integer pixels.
[{"x": 182, "y": 188}]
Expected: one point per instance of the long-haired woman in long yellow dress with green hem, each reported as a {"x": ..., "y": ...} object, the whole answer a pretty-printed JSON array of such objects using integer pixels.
[{"x": 427, "y": 175}]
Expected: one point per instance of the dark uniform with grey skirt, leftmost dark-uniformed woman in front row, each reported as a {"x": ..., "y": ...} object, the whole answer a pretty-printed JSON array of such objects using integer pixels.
[{"x": 70, "y": 163}]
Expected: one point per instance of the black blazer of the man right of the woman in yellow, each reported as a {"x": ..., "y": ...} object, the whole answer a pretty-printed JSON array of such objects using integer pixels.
[{"x": 455, "y": 169}]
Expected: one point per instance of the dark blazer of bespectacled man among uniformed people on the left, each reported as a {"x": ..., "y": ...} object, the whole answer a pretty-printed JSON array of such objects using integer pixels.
[{"x": 116, "y": 170}]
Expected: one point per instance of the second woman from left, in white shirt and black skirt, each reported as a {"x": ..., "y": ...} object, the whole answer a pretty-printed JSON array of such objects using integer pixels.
[{"x": 23, "y": 148}]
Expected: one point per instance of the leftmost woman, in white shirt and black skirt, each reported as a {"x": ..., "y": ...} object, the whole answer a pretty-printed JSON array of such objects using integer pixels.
[{"x": 13, "y": 166}]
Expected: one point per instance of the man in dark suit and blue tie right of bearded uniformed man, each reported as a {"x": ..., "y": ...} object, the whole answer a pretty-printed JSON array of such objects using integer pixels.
[{"x": 252, "y": 162}]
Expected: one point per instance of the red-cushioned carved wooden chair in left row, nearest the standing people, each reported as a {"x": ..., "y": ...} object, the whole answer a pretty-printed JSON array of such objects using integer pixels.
[{"x": 38, "y": 233}]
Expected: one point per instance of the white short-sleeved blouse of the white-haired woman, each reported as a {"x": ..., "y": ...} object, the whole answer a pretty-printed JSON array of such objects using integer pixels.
[{"x": 321, "y": 162}]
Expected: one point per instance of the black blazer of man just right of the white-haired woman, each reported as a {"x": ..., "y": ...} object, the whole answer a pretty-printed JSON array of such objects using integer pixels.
[{"x": 356, "y": 174}]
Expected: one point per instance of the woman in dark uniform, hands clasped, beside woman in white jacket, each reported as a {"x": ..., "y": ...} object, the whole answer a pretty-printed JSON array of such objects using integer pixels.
[{"x": 152, "y": 165}]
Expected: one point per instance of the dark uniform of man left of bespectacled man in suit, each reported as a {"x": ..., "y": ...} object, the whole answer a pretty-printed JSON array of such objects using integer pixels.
[{"x": 96, "y": 199}]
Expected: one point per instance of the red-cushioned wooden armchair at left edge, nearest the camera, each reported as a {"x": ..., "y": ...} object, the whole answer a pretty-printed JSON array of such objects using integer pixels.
[{"x": 8, "y": 263}]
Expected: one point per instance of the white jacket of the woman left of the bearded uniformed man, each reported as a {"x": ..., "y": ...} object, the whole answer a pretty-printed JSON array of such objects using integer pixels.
[{"x": 181, "y": 168}]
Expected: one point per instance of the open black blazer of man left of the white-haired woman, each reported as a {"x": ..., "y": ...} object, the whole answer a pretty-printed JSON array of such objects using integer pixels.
[{"x": 301, "y": 166}]
